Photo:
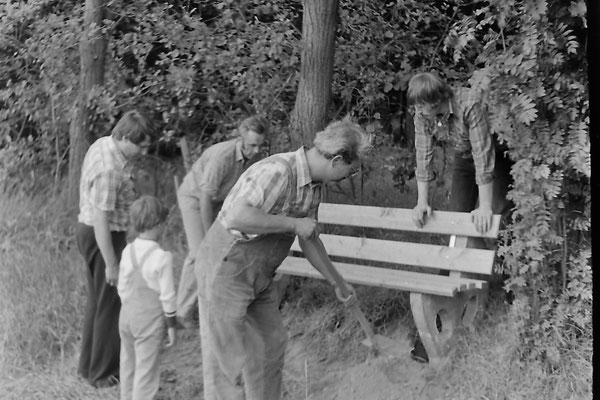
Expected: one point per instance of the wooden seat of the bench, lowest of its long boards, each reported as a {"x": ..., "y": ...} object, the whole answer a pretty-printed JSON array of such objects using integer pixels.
[{"x": 385, "y": 277}]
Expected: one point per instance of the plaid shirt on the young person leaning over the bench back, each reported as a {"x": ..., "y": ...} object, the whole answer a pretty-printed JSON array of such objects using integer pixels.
[{"x": 467, "y": 127}]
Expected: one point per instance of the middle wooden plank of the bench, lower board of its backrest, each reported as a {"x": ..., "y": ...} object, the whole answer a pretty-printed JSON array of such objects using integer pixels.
[{"x": 417, "y": 254}]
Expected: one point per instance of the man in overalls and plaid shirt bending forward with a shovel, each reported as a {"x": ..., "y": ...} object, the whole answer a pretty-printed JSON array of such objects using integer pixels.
[{"x": 242, "y": 333}]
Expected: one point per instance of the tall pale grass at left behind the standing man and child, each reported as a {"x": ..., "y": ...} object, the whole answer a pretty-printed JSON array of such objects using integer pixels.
[{"x": 43, "y": 296}]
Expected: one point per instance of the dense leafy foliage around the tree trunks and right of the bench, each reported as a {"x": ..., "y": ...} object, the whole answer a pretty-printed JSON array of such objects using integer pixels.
[{"x": 197, "y": 67}]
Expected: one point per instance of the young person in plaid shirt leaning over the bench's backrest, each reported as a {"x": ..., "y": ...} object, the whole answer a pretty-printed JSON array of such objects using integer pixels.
[{"x": 481, "y": 169}]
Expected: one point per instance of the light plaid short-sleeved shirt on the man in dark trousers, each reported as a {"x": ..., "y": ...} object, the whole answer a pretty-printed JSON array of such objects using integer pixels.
[{"x": 106, "y": 184}]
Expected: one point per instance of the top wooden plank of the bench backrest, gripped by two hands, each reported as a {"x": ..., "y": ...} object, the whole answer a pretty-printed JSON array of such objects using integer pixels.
[{"x": 441, "y": 222}]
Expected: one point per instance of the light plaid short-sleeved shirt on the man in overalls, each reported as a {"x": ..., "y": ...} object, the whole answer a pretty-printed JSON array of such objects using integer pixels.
[{"x": 269, "y": 186}]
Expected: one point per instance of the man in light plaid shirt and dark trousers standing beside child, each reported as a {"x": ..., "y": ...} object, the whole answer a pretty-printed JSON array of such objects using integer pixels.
[{"x": 105, "y": 194}]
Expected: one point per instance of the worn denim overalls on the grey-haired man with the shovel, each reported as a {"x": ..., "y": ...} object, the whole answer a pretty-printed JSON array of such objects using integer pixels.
[{"x": 241, "y": 328}]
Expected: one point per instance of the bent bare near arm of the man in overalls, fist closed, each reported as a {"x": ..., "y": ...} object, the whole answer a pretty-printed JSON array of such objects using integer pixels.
[{"x": 248, "y": 219}]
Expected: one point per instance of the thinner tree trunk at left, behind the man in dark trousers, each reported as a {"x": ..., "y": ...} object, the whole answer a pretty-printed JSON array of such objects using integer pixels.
[{"x": 92, "y": 50}]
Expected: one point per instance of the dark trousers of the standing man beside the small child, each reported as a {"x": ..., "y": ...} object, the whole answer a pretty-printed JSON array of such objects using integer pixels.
[{"x": 100, "y": 341}]
